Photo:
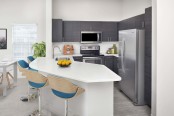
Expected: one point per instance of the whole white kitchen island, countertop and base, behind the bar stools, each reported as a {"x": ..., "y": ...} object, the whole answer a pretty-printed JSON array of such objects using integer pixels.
[{"x": 97, "y": 80}]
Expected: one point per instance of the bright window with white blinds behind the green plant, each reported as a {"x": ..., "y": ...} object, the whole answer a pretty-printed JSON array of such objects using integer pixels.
[{"x": 24, "y": 35}]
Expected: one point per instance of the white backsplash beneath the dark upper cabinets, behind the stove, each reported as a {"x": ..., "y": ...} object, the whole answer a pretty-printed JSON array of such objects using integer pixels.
[{"x": 103, "y": 46}]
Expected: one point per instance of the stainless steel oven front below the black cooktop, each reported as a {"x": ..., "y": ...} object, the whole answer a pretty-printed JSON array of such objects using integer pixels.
[{"x": 94, "y": 60}]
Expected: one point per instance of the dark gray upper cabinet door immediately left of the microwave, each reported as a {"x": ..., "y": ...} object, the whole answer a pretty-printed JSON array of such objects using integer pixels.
[{"x": 71, "y": 31}]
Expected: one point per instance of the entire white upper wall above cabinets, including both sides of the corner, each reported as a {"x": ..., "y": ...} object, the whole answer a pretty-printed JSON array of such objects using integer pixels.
[{"x": 98, "y": 10}]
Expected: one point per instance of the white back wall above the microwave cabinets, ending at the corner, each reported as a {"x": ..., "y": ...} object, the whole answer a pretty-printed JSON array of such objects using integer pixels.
[{"x": 87, "y": 10}]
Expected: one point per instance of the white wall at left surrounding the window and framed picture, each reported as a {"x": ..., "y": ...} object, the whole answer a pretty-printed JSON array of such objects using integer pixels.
[{"x": 21, "y": 12}]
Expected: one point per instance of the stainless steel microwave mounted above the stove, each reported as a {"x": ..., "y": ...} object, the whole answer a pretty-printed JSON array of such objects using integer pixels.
[{"x": 91, "y": 36}]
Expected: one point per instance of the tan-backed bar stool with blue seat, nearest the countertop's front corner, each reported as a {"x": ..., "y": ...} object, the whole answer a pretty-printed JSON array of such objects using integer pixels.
[{"x": 64, "y": 89}]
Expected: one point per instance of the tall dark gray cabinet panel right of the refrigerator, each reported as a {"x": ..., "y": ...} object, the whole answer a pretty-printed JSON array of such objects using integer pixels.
[{"x": 148, "y": 57}]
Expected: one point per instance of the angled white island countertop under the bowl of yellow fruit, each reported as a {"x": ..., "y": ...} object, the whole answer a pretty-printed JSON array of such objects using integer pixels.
[{"x": 80, "y": 71}]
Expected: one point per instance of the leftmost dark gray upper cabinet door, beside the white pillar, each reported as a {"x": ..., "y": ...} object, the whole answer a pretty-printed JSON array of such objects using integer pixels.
[{"x": 57, "y": 30}]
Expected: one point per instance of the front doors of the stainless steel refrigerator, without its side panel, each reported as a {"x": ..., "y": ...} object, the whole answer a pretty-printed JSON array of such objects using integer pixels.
[{"x": 128, "y": 59}]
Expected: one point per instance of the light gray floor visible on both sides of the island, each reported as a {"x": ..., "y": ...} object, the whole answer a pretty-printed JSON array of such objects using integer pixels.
[{"x": 12, "y": 106}]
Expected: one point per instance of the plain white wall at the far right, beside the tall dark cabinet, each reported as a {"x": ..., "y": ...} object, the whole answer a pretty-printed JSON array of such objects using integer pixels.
[{"x": 164, "y": 58}]
